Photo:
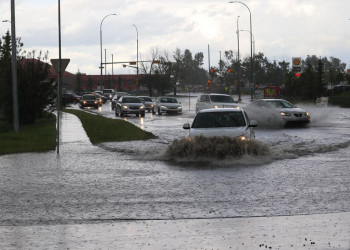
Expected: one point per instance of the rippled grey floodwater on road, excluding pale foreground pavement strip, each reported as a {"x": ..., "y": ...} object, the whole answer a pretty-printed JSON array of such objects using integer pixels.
[{"x": 306, "y": 173}]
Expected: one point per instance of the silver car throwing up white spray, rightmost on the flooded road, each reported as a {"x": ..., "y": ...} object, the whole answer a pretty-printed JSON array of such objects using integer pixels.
[{"x": 276, "y": 112}]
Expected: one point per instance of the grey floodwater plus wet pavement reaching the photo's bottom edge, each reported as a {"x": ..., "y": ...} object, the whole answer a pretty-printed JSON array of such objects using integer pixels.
[{"x": 130, "y": 195}]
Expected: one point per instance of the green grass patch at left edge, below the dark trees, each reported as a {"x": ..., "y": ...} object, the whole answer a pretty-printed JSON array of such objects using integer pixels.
[{"x": 36, "y": 137}]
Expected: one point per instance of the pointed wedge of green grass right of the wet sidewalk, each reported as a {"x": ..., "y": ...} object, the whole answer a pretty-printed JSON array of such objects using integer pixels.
[{"x": 101, "y": 129}]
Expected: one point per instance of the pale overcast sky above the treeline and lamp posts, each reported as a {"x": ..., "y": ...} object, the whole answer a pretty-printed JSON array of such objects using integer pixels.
[{"x": 282, "y": 29}]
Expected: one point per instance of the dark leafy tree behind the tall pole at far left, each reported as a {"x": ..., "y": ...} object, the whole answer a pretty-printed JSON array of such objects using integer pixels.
[{"x": 35, "y": 93}]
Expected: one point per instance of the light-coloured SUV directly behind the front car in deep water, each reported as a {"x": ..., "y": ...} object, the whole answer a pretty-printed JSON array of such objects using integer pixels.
[{"x": 208, "y": 101}]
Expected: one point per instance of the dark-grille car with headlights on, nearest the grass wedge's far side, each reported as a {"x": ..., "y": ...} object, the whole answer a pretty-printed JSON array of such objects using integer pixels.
[{"x": 129, "y": 105}]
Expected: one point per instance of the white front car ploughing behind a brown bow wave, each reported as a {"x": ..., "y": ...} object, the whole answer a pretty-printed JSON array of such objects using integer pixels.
[{"x": 231, "y": 122}]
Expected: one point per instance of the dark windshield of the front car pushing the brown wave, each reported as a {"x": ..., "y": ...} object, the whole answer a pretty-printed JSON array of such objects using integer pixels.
[{"x": 219, "y": 120}]
